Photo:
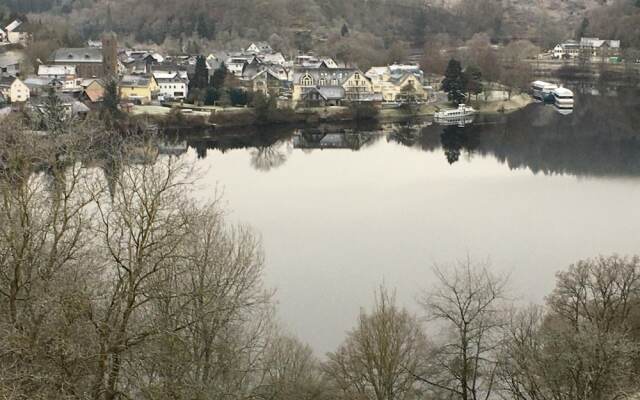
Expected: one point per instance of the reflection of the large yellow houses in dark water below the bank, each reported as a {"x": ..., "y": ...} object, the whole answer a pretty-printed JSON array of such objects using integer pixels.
[{"x": 341, "y": 139}]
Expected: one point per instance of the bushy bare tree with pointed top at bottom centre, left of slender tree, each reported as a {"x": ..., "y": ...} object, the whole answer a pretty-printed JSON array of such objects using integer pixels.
[{"x": 379, "y": 357}]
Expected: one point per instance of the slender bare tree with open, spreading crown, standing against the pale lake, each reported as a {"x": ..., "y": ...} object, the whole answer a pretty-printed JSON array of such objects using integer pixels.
[{"x": 468, "y": 301}]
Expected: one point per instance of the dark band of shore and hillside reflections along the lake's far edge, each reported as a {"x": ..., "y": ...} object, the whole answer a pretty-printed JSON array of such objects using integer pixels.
[{"x": 601, "y": 137}]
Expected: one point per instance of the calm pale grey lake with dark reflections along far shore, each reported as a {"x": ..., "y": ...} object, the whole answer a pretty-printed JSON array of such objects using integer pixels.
[{"x": 342, "y": 210}]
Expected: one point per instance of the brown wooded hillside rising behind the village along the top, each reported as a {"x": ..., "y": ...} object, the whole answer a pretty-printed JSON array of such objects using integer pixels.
[{"x": 370, "y": 30}]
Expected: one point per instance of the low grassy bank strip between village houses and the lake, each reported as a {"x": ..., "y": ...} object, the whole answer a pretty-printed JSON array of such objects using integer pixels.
[{"x": 190, "y": 116}]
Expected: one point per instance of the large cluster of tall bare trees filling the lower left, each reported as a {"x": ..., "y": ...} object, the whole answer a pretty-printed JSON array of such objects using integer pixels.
[{"x": 122, "y": 287}]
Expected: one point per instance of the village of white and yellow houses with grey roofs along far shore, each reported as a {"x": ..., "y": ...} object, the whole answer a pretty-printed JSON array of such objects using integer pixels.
[{"x": 255, "y": 85}]
